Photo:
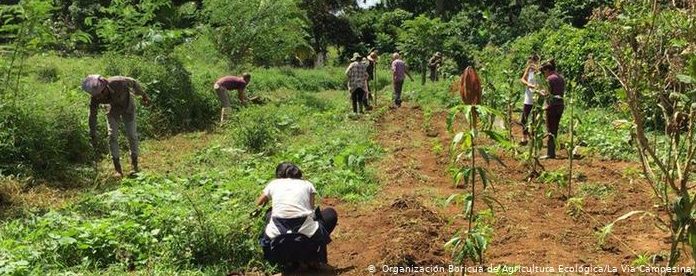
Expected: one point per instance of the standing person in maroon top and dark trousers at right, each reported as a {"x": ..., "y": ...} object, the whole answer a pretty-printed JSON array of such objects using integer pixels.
[{"x": 554, "y": 105}]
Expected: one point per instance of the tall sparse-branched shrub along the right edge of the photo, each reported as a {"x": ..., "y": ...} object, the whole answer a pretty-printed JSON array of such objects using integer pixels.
[{"x": 639, "y": 32}]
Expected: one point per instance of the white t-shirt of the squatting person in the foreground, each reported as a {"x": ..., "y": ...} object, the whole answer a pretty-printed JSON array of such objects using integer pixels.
[{"x": 290, "y": 198}]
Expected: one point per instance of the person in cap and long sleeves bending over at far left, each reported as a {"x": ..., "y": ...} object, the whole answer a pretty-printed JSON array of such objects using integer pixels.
[{"x": 115, "y": 93}]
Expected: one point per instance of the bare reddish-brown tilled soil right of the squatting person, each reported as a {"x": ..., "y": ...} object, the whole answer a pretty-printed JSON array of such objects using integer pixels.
[{"x": 409, "y": 221}]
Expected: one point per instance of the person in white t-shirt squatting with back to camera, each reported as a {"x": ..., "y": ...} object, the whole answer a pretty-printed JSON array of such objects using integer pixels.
[{"x": 293, "y": 215}]
